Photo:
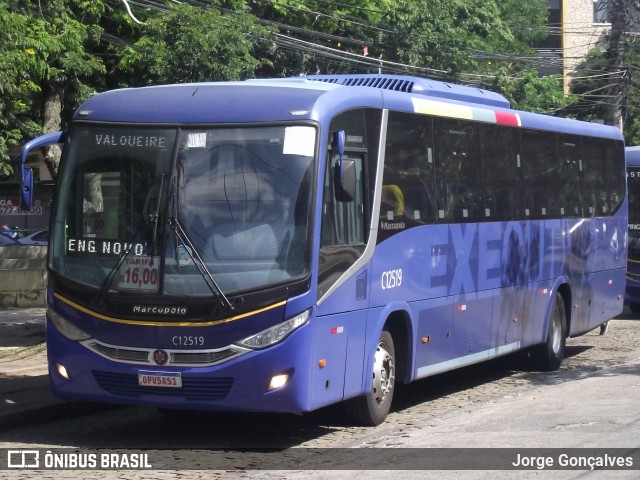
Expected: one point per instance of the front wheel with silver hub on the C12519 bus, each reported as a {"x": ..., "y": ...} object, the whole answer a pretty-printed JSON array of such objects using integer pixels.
[{"x": 372, "y": 409}]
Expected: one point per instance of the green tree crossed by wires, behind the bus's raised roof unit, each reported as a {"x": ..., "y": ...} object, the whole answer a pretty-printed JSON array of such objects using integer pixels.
[{"x": 442, "y": 38}]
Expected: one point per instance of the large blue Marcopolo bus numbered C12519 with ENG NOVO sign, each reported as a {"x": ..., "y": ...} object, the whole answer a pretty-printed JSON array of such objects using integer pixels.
[{"x": 286, "y": 244}]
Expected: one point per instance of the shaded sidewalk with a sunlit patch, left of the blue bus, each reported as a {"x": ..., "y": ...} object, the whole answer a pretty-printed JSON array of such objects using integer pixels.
[{"x": 25, "y": 396}]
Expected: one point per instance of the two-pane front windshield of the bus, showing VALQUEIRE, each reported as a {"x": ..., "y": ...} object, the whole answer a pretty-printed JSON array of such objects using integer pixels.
[{"x": 161, "y": 210}]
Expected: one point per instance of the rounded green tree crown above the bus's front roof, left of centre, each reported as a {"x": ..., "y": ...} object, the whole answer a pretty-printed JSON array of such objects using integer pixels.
[{"x": 193, "y": 43}]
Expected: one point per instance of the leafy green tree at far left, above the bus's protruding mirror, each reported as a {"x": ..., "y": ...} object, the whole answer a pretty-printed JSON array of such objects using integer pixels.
[{"x": 46, "y": 65}]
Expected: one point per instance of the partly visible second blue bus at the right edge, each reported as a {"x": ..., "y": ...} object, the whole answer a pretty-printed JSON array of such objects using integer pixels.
[{"x": 632, "y": 293}]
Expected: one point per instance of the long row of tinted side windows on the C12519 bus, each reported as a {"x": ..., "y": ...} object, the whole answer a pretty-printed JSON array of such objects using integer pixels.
[{"x": 449, "y": 171}]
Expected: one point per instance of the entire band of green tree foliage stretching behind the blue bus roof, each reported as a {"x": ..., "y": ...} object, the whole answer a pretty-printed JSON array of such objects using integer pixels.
[{"x": 64, "y": 50}]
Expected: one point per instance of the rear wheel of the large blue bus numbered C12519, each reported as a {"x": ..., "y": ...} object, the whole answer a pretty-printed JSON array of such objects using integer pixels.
[{"x": 549, "y": 355}]
